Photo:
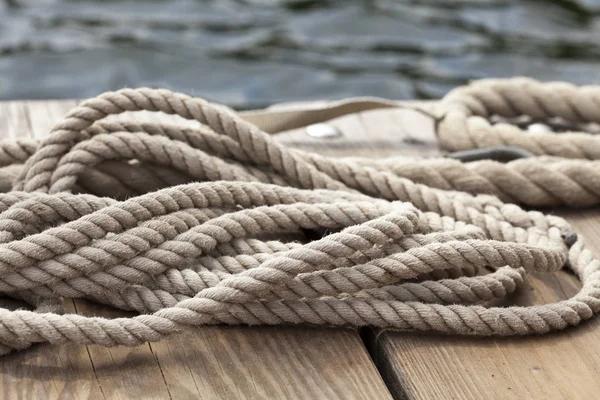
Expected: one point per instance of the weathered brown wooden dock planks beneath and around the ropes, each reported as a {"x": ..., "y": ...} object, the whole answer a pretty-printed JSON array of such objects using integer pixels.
[{"x": 315, "y": 363}]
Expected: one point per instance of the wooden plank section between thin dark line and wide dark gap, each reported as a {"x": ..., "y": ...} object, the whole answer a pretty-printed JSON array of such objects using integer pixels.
[{"x": 267, "y": 362}]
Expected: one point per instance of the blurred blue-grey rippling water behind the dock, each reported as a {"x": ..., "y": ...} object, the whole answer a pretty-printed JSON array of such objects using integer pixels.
[{"x": 251, "y": 53}]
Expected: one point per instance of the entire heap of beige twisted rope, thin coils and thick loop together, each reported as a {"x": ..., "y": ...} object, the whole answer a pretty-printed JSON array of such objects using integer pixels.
[{"x": 186, "y": 225}]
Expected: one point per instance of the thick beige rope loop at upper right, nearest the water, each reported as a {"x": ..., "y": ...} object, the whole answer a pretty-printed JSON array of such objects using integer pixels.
[{"x": 466, "y": 112}]
